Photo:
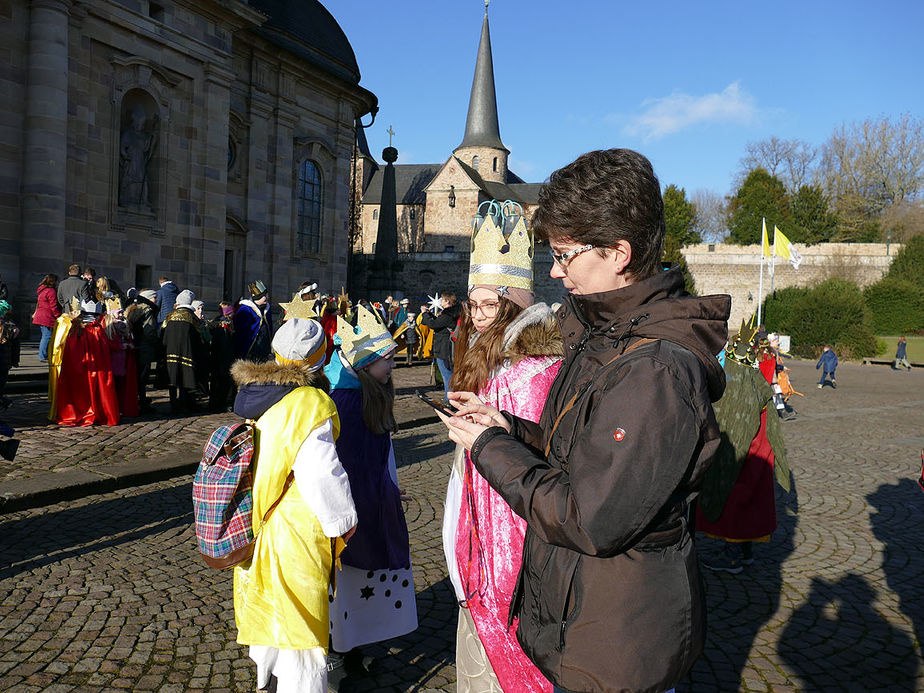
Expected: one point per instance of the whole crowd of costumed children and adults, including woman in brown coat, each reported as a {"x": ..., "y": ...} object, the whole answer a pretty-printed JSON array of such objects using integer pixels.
[{"x": 585, "y": 433}]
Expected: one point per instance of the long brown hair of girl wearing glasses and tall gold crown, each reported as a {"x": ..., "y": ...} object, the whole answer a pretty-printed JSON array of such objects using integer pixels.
[{"x": 475, "y": 362}]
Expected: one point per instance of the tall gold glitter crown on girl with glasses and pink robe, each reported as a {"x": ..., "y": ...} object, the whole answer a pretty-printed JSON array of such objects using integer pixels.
[{"x": 501, "y": 257}]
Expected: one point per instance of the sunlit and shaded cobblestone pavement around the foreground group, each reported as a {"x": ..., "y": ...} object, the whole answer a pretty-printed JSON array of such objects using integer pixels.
[{"x": 107, "y": 593}]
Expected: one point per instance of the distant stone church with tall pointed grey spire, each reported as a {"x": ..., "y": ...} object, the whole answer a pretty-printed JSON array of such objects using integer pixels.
[{"x": 435, "y": 203}]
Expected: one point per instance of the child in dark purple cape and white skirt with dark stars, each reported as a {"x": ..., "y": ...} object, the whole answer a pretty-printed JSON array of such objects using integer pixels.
[{"x": 375, "y": 597}]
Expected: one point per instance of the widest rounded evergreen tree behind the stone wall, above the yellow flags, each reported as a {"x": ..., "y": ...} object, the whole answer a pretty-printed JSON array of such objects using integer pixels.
[{"x": 761, "y": 196}]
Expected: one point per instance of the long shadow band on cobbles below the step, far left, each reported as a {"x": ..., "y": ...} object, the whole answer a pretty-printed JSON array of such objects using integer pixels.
[{"x": 32, "y": 542}]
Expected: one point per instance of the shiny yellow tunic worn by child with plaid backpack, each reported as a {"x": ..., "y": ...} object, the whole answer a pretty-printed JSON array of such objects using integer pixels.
[{"x": 281, "y": 596}]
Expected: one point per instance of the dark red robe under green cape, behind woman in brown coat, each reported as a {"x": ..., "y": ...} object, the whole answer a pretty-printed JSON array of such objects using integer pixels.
[{"x": 750, "y": 511}]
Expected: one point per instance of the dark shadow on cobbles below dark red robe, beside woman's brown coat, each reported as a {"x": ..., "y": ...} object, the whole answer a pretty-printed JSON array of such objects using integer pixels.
[{"x": 738, "y": 606}]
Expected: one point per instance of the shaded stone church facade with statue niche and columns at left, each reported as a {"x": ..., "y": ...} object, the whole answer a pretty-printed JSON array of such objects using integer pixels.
[{"x": 210, "y": 141}]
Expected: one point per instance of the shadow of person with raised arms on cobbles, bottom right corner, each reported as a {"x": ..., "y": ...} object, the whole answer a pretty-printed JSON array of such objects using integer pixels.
[{"x": 836, "y": 640}]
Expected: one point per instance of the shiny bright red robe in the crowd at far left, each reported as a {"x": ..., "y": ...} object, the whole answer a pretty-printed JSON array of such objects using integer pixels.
[{"x": 86, "y": 389}]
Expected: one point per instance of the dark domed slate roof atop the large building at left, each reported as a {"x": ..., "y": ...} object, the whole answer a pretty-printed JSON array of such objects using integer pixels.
[{"x": 306, "y": 29}]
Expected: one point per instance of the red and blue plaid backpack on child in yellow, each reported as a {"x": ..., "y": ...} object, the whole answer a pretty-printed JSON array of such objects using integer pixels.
[{"x": 223, "y": 497}]
